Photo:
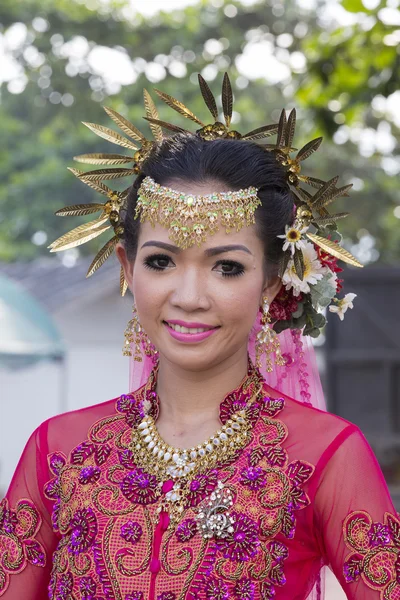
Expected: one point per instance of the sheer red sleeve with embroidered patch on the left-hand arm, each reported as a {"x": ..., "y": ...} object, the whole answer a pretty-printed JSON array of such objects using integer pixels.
[{"x": 26, "y": 537}]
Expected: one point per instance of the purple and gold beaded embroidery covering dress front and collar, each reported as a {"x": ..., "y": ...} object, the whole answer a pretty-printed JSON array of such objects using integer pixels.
[{"x": 113, "y": 541}]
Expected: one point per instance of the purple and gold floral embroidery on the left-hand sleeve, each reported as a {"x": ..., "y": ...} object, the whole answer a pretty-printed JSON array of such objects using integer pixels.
[{"x": 18, "y": 546}]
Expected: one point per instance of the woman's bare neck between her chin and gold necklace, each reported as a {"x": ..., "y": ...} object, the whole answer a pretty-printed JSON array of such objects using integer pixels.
[{"x": 187, "y": 397}]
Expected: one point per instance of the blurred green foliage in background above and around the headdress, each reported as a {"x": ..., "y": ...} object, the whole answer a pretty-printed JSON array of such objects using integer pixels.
[{"x": 349, "y": 65}]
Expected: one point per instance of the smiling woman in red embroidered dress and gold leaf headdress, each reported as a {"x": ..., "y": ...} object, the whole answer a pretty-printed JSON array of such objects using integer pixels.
[{"x": 206, "y": 482}]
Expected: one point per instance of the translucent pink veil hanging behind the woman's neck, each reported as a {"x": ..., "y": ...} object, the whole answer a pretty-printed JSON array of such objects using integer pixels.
[{"x": 298, "y": 379}]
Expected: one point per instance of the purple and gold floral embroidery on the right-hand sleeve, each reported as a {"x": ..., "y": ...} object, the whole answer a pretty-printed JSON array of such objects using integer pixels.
[{"x": 375, "y": 552}]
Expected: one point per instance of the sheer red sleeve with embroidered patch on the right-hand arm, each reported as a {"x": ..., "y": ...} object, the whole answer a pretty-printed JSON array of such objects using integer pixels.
[{"x": 358, "y": 527}]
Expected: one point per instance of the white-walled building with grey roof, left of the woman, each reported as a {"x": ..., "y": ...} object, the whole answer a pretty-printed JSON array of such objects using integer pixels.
[{"x": 91, "y": 317}]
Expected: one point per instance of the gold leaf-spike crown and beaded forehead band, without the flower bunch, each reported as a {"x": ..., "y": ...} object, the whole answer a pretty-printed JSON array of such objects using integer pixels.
[{"x": 188, "y": 218}]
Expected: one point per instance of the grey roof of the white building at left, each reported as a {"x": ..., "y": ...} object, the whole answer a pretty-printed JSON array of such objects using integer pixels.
[{"x": 55, "y": 285}]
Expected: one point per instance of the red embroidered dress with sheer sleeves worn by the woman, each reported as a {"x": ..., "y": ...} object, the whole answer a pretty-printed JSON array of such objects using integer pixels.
[{"x": 80, "y": 519}]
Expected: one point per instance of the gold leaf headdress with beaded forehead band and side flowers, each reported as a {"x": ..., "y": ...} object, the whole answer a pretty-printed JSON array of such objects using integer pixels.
[{"x": 311, "y": 243}]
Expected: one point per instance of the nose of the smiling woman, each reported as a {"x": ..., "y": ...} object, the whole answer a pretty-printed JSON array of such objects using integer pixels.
[{"x": 190, "y": 292}]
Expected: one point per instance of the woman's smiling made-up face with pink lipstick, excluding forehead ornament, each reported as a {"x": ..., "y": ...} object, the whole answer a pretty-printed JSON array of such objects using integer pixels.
[{"x": 217, "y": 287}]
